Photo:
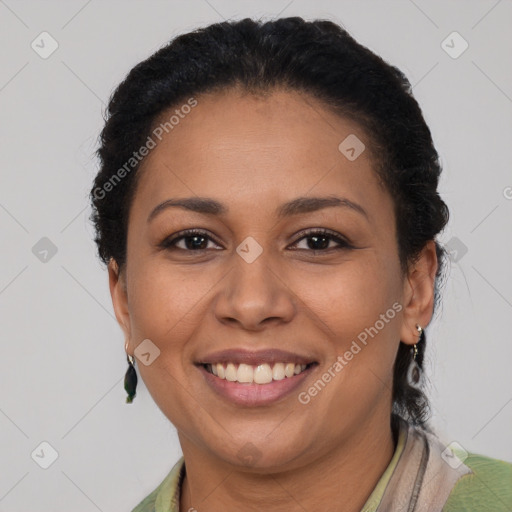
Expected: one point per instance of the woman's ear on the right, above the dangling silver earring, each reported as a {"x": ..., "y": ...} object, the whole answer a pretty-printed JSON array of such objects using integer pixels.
[{"x": 419, "y": 294}]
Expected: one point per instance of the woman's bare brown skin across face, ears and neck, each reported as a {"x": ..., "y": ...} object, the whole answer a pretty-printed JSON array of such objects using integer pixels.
[{"x": 253, "y": 153}]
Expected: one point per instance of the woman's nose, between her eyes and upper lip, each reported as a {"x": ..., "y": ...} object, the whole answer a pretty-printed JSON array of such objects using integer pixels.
[{"x": 254, "y": 295}]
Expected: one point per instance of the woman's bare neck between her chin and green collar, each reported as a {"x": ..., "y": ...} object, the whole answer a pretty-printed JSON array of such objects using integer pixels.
[{"x": 341, "y": 479}]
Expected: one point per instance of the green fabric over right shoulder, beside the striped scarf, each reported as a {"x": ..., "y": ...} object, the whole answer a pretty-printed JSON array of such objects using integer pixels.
[{"x": 487, "y": 487}]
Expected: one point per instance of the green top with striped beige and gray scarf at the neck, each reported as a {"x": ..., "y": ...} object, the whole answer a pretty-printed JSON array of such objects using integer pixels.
[{"x": 477, "y": 484}]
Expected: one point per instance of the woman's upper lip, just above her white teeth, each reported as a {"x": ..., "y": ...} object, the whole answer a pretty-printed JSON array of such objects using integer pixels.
[{"x": 240, "y": 356}]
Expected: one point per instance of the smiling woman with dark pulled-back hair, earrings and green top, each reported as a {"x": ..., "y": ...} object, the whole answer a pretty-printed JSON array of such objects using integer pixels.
[{"x": 267, "y": 207}]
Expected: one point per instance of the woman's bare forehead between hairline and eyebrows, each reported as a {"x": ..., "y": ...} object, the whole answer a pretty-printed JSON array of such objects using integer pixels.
[{"x": 252, "y": 150}]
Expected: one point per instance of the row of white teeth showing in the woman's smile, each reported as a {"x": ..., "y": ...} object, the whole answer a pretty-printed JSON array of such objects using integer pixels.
[{"x": 260, "y": 374}]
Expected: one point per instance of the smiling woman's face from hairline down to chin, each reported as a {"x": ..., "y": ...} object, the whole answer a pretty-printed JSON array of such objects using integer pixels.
[{"x": 252, "y": 282}]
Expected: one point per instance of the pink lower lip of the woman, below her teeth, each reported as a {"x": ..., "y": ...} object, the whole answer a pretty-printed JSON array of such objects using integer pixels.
[{"x": 254, "y": 394}]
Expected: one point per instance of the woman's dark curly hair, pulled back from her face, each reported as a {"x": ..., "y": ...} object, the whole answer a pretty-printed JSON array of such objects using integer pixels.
[{"x": 316, "y": 57}]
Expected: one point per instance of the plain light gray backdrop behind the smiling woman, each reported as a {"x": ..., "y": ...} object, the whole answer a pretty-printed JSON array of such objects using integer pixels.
[{"x": 62, "y": 353}]
